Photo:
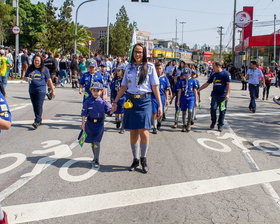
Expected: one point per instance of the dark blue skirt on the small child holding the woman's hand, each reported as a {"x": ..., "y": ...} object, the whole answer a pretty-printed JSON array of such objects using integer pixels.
[{"x": 94, "y": 131}]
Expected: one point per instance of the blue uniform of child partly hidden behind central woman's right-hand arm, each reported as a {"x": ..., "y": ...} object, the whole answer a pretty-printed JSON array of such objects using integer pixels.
[{"x": 163, "y": 86}]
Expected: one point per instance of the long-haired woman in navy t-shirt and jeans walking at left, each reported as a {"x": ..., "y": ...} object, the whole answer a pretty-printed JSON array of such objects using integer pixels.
[{"x": 38, "y": 76}]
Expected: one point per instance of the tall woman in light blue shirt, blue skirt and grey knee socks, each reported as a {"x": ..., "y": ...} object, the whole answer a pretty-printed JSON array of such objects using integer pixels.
[{"x": 140, "y": 80}]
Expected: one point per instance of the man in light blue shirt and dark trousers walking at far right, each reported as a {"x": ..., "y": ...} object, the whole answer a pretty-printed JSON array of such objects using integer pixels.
[{"x": 253, "y": 76}]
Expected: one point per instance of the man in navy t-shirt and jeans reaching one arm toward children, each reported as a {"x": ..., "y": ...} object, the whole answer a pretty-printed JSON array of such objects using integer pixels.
[{"x": 220, "y": 95}]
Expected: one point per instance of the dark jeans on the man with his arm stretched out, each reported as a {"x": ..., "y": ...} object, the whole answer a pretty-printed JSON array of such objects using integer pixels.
[{"x": 215, "y": 103}]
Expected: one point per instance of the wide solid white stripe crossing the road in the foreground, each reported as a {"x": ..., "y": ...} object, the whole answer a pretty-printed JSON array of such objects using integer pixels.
[{"x": 79, "y": 205}]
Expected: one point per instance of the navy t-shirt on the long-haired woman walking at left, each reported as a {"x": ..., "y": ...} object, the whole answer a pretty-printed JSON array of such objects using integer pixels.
[{"x": 37, "y": 81}]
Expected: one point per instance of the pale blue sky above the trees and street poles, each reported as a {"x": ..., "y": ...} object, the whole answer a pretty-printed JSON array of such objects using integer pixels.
[{"x": 202, "y": 17}]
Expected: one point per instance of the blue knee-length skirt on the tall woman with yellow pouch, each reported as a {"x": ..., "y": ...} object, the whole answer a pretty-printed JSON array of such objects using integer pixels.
[{"x": 140, "y": 115}]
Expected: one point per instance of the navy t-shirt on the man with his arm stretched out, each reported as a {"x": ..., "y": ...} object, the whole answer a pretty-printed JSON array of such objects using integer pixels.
[{"x": 219, "y": 81}]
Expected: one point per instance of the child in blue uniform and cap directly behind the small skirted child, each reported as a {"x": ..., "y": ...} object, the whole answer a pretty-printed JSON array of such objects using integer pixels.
[{"x": 88, "y": 78}]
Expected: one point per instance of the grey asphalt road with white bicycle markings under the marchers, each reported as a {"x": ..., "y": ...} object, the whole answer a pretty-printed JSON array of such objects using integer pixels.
[{"x": 198, "y": 177}]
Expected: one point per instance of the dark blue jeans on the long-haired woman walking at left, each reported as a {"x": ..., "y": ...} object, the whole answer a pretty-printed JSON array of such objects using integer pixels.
[{"x": 37, "y": 100}]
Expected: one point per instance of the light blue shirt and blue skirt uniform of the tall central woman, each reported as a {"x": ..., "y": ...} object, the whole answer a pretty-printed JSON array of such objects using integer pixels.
[{"x": 140, "y": 115}]
